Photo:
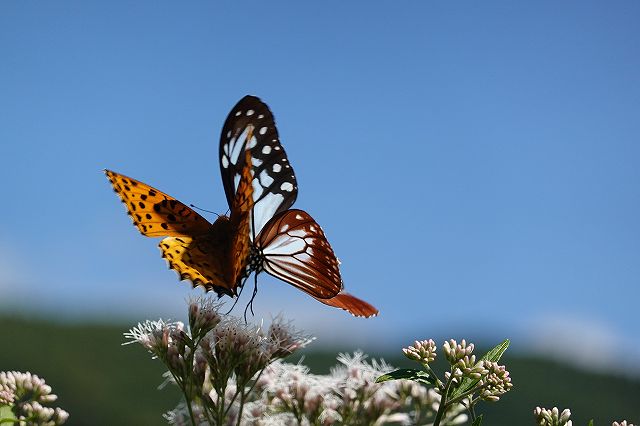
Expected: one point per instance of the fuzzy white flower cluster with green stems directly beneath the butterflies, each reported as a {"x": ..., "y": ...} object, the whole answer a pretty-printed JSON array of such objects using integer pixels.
[{"x": 217, "y": 361}]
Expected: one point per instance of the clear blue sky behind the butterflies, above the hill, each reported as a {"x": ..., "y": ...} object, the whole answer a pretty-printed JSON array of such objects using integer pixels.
[{"x": 474, "y": 164}]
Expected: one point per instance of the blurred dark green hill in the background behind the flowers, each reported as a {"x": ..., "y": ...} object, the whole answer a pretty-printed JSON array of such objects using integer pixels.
[{"x": 100, "y": 382}]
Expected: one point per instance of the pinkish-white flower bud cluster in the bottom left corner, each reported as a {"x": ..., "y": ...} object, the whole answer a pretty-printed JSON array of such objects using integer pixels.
[{"x": 26, "y": 394}]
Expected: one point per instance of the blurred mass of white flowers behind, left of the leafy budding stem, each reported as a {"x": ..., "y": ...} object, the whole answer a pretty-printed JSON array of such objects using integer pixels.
[{"x": 287, "y": 394}]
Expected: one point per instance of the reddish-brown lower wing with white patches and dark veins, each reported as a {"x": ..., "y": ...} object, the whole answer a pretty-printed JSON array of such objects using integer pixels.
[{"x": 295, "y": 250}]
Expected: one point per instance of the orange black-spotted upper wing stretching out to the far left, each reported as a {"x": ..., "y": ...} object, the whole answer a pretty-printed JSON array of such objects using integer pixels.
[{"x": 155, "y": 213}]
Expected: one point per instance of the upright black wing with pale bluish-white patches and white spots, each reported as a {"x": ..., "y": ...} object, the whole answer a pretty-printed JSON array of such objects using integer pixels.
[{"x": 250, "y": 126}]
